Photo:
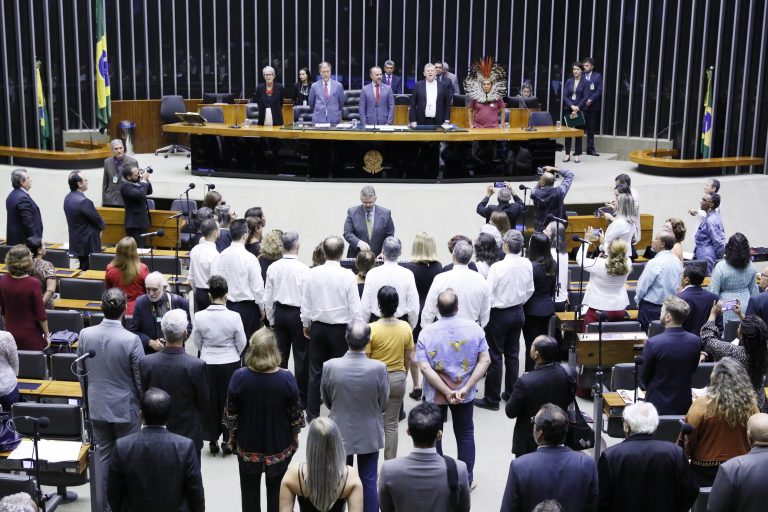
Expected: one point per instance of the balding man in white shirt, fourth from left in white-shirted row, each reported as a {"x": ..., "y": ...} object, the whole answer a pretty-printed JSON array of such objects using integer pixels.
[{"x": 329, "y": 301}]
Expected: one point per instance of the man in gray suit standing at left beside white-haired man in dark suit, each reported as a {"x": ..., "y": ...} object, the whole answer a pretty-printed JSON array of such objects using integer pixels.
[{"x": 114, "y": 378}]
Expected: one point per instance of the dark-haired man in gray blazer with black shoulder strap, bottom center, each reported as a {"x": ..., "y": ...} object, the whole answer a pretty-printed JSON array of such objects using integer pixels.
[{"x": 420, "y": 480}]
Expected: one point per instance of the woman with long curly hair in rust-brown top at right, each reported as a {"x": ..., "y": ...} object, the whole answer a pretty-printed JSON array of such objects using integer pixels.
[{"x": 719, "y": 420}]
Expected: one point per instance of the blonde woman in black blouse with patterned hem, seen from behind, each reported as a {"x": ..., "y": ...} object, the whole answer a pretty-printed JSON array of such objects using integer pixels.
[{"x": 264, "y": 416}]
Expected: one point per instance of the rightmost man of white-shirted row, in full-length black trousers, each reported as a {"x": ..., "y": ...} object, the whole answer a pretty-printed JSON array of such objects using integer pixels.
[{"x": 511, "y": 284}]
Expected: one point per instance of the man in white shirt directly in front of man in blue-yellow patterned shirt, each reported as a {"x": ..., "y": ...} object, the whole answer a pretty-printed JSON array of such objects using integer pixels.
[{"x": 470, "y": 287}]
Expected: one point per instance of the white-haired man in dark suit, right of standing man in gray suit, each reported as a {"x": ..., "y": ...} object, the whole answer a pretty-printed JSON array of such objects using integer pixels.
[{"x": 182, "y": 376}]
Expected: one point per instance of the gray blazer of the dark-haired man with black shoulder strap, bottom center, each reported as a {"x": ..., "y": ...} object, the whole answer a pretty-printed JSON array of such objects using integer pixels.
[{"x": 418, "y": 482}]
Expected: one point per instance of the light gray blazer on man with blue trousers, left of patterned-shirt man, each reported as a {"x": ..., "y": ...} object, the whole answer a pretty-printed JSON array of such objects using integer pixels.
[{"x": 356, "y": 390}]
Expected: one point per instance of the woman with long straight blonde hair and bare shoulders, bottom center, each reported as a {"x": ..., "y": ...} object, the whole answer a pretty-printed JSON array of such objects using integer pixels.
[{"x": 324, "y": 483}]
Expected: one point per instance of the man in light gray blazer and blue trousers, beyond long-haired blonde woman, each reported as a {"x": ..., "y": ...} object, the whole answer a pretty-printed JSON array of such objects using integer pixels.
[{"x": 356, "y": 390}]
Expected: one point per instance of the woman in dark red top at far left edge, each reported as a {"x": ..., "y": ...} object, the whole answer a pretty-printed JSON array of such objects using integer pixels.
[{"x": 21, "y": 302}]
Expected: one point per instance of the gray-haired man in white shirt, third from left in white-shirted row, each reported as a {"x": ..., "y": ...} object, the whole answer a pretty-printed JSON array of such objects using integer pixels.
[{"x": 282, "y": 304}]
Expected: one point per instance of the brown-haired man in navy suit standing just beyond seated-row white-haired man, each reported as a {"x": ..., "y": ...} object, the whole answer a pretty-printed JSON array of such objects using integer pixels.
[{"x": 670, "y": 360}]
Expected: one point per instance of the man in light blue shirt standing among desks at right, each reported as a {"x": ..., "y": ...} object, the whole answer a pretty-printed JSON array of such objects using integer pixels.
[{"x": 659, "y": 280}]
